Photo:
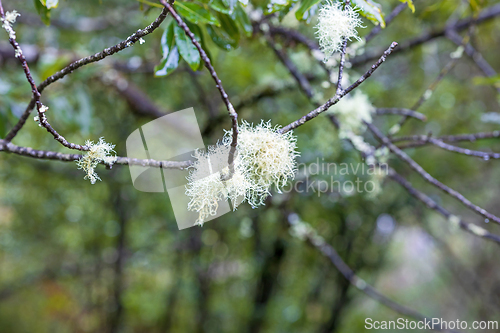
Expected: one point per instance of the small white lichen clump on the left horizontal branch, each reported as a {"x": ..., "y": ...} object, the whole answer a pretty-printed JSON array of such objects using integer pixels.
[{"x": 97, "y": 153}]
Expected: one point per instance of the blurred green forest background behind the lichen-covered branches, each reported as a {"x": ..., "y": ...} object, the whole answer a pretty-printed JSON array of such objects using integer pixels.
[{"x": 76, "y": 257}]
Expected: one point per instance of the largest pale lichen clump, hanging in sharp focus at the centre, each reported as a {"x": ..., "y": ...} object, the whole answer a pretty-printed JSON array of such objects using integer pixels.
[{"x": 264, "y": 158}]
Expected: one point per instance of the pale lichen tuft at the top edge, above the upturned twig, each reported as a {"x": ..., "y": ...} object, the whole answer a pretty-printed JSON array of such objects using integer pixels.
[{"x": 335, "y": 25}]
